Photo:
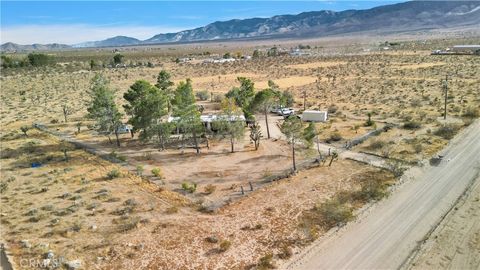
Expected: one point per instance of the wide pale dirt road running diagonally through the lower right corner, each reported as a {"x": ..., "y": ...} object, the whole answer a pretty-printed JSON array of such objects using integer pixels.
[{"x": 385, "y": 236}]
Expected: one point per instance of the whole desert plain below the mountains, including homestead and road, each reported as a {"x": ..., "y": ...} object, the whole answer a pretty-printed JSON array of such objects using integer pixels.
[{"x": 200, "y": 155}]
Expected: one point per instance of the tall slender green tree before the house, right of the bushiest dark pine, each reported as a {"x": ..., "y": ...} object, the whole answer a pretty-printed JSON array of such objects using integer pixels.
[{"x": 187, "y": 112}]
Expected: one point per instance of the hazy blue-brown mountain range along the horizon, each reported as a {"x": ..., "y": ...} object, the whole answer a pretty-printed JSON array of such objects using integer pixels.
[{"x": 403, "y": 17}]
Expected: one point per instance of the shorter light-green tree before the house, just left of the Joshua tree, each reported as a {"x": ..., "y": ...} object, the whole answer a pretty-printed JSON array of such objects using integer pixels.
[{"x": 229, "y": 125}]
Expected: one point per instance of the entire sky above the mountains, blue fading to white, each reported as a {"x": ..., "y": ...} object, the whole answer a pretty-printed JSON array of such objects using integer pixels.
[{"x": 73, "y": 22}]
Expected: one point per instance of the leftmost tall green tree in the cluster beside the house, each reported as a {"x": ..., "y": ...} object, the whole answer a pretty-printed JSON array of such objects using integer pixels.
[{"x": 102, "y": 108}]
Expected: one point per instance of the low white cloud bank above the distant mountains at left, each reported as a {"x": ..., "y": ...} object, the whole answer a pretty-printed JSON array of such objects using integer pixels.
[{"x": 77, "y": 33}]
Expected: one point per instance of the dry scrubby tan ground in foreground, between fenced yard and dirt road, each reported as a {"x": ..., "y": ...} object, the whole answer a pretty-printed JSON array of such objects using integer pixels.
[{"x": 79, "y": 210}]
